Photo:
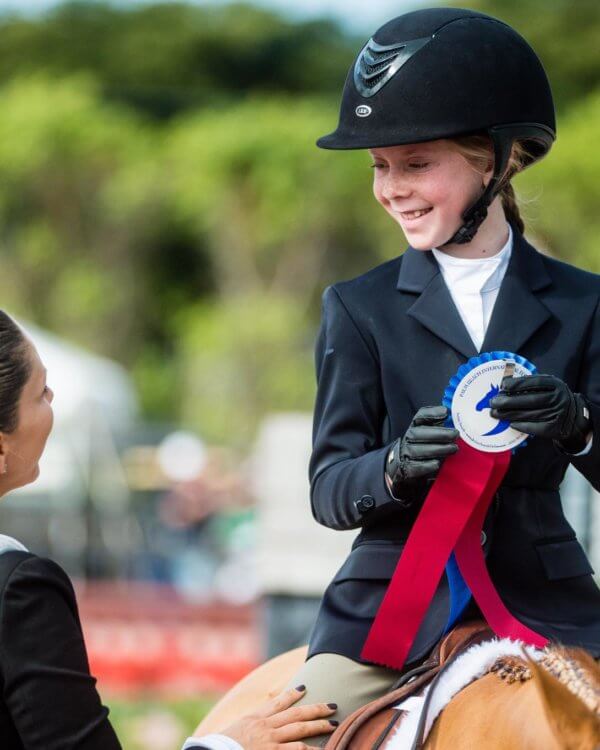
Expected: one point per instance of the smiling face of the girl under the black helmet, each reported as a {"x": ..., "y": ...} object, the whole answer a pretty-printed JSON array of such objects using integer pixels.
[{"x": 426, "y": 187}]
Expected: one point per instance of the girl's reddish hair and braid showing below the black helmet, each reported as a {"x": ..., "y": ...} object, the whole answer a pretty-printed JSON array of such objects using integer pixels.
[{"x": 477, "y": 150}]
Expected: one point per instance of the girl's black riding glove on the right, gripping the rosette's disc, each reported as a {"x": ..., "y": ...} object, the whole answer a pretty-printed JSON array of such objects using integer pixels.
[{"x": 543, "y": 405}]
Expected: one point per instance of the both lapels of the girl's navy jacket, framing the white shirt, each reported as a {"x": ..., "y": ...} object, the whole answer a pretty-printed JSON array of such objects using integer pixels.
[{"x": 517, "y": 314}]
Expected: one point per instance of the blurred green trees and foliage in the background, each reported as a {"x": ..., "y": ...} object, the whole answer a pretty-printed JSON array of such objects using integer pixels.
[{"x": 194, "y": 248}]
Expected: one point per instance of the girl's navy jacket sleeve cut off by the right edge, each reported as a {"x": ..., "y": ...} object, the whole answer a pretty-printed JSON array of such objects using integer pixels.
[{"x": 589, "y": 387}]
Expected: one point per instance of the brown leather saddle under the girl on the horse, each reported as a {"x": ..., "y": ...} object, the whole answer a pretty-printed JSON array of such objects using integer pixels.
[{"x": 371, "y": 726}]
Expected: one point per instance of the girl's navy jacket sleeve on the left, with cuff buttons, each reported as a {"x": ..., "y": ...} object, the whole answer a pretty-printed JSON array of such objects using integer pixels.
[{"x": 348, "y": 458}]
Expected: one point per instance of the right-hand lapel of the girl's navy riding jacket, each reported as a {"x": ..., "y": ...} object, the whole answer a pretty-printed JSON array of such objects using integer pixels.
[{"x": 518, "y": 312}]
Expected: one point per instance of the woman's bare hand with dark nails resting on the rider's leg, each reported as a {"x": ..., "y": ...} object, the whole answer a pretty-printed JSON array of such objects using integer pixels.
[{"x": 276, "y": 724}]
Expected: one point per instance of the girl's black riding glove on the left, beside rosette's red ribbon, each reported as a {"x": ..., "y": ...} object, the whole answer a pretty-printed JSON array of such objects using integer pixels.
[{"x": 418, "y": 455}]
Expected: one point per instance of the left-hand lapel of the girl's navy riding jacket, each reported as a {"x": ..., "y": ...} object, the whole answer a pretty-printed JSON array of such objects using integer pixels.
[{"x": 434, "y": 308}]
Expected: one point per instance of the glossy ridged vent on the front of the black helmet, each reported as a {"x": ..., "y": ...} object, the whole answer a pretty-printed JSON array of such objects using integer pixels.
[{"x": 378, "y": 63}]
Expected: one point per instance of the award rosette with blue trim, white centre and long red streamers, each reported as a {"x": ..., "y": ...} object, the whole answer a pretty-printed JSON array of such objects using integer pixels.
[{"x": 450, "y": 522}]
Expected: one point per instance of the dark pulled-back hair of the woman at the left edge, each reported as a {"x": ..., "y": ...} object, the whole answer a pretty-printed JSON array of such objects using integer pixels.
[{"x": 15, "y": 368}]
